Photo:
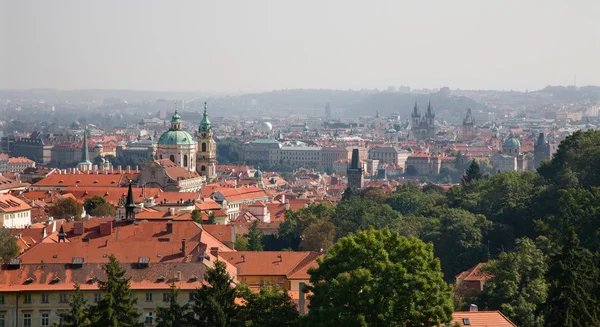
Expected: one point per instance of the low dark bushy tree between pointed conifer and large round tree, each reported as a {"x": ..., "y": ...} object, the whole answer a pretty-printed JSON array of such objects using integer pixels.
[{"x": 270, "y": 307}]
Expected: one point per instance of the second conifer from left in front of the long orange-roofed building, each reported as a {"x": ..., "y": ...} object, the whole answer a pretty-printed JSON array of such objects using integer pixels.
[{"x": 117, "y": 308}]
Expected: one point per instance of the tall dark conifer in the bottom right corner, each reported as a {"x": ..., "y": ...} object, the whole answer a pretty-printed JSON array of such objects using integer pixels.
[{"x": 573, "y": 277}]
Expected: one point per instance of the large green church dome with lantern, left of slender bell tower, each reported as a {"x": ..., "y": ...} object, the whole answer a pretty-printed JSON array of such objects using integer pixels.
[{"x": 177, "y": 145}]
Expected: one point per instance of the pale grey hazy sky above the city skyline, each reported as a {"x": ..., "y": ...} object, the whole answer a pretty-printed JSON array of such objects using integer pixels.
[{"x": 258, "y": 45}]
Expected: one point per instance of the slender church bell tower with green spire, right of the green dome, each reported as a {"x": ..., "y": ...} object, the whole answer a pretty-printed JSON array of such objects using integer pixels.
[{"x": 206, "y": 158}]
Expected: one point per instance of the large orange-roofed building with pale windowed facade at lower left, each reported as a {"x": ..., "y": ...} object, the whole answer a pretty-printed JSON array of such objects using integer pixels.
[{"x": 153, "y": 254}]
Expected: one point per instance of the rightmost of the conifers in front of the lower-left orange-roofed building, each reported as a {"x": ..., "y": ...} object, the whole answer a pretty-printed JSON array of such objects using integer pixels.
[{"x": 214, "y": 304}]
